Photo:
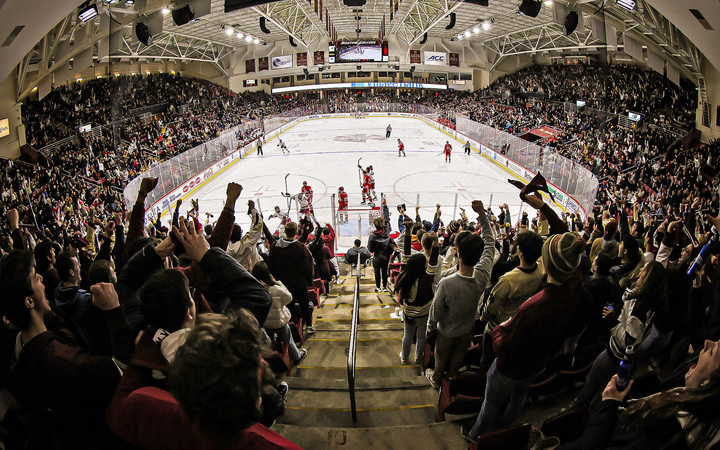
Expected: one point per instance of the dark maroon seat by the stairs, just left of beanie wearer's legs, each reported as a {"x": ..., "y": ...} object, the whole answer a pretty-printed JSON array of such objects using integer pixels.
[{"x": 463, "y": 394}]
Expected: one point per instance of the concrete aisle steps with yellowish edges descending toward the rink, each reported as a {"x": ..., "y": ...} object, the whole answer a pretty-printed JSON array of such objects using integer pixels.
[{"x": 396, "y": 405}]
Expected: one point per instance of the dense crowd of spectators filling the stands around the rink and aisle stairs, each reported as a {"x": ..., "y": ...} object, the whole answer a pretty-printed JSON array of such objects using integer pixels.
[{"x": 95, "y": 293}]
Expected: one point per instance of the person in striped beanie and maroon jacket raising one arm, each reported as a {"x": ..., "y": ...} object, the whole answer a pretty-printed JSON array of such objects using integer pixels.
[{"x": 525, "y": 343}]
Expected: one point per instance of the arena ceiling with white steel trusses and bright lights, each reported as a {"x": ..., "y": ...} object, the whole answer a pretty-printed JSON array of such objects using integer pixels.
[{"x": 498, "y": 28}]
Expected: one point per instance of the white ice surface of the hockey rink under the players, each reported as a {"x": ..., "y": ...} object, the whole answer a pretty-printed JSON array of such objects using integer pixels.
[{"x": 325, "y": 152}]
